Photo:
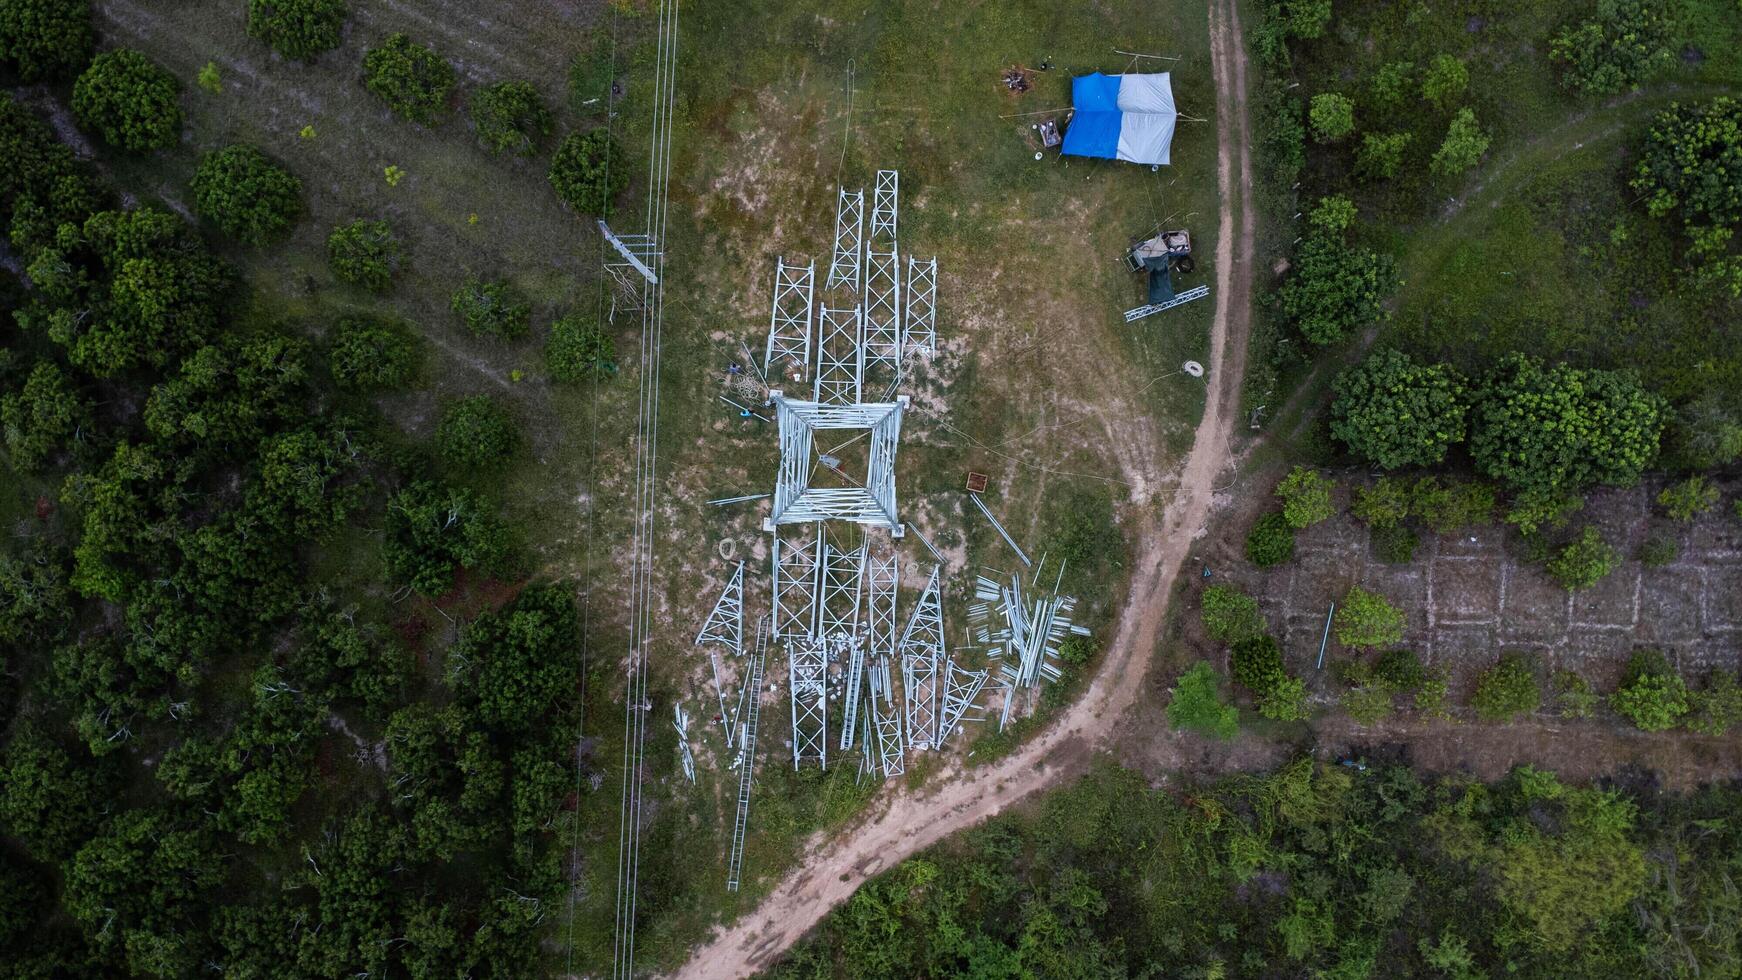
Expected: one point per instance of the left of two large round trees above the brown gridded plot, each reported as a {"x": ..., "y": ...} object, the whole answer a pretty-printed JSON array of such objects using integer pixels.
[{"x": 1398, "y": 413}]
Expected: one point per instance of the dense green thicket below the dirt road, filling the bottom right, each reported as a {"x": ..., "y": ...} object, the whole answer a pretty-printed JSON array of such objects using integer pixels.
[{"x": 1313, "y": 871}]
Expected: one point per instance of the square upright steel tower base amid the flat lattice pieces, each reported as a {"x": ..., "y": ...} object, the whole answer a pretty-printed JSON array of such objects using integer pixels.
[{"x": 872, "y": 504}]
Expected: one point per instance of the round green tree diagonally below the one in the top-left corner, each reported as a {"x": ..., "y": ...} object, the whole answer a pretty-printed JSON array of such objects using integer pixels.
[{"x": 130, "y": 102}]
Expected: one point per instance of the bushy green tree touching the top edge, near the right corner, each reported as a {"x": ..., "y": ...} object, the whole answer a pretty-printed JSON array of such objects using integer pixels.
[{"x": 1623, "y": 46}]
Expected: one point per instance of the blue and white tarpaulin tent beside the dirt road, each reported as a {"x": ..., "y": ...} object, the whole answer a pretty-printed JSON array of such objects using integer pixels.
[{"x": 1123, "y": 117}]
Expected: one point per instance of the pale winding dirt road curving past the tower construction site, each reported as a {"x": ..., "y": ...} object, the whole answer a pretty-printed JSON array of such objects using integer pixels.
[{"x": 915, "y": 821}]
